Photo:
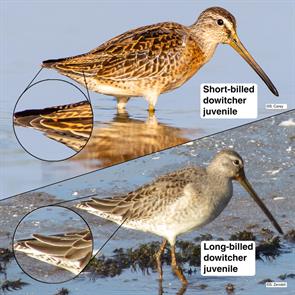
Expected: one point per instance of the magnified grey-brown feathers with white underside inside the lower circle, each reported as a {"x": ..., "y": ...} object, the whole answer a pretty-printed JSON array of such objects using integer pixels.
[{"x": 70, "y": 251}]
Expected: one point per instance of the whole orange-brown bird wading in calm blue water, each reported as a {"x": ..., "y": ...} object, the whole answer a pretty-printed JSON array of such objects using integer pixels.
[{"x": 154, "y": 59}]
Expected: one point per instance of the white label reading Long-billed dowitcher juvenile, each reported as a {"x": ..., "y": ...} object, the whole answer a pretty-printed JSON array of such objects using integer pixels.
[{"x": 228, "y": 258}]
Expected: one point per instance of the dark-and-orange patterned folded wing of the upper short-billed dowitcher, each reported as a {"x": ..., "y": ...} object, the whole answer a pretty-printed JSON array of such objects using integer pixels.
[{"x": 138, "y": 53}]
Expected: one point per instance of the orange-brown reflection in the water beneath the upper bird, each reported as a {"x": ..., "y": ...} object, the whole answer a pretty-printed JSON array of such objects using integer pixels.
[{"x": 126, "y": 138}]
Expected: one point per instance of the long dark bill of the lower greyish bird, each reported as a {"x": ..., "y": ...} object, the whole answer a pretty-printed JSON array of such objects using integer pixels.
[{"x": 247, "y": 186}]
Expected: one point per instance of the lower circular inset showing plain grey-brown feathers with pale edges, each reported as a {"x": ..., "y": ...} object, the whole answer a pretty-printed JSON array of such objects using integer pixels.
[{"x": 52, "y": 244}]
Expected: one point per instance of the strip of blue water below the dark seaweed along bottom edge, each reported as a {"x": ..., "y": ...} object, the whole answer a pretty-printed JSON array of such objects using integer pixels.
[{"x": 138, "y": 283}]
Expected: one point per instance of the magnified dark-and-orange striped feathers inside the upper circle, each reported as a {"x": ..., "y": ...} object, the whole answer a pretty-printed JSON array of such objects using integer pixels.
[{"x": 69, "y": 124}]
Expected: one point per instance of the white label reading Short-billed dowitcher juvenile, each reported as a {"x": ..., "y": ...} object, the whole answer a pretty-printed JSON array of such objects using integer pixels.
[{"x": 228, "y": 101}]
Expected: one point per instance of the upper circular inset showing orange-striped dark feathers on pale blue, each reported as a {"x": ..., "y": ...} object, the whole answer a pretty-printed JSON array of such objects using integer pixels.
[{"x": 53, "y": 120}]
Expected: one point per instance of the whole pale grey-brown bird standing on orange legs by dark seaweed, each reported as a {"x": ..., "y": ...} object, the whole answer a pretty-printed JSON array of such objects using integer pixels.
[{"x": 178, "y": 202}]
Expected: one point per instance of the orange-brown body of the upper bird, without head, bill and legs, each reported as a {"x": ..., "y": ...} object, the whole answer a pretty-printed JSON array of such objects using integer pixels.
[{"x": 161, "y": 56}]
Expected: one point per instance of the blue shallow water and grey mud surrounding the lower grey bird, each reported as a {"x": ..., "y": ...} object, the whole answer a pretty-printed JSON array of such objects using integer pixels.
[{"x": 269, "y": 152}]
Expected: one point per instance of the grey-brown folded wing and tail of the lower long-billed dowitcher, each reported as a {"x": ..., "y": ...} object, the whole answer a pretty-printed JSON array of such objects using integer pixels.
[{"x": 147, "y": 200}]
